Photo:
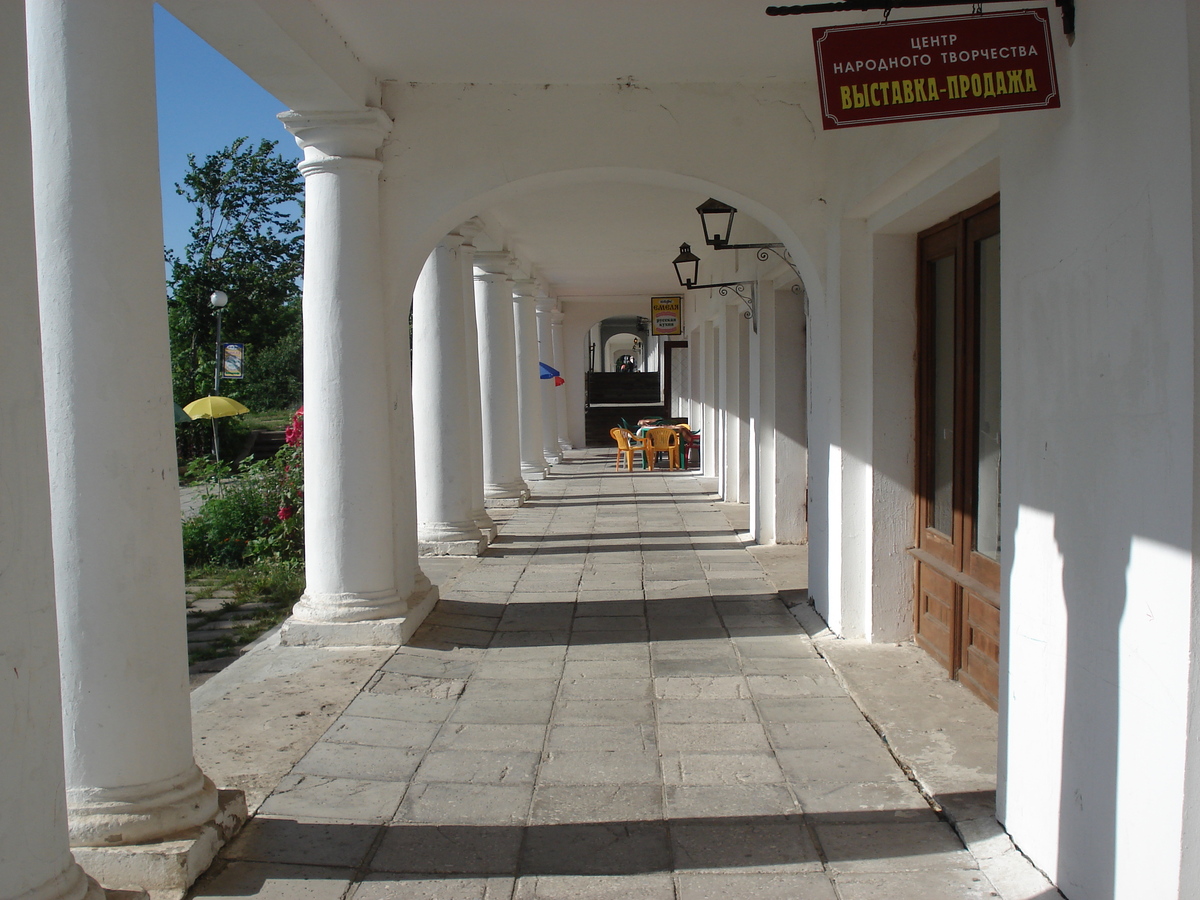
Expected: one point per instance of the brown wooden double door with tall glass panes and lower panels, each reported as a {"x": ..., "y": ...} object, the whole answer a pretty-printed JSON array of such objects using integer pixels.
[{"x": 958, "y": 454}]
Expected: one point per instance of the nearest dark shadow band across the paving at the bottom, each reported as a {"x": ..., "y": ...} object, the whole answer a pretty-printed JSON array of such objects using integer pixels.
[{"x": 781, "y": 843}]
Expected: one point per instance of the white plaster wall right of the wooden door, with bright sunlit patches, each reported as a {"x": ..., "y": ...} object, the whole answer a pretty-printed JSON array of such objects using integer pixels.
[{"x": 1099, "y": 367}]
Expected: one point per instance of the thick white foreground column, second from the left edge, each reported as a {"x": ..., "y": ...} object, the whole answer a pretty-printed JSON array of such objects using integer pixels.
[{"x": 115, "y": 495}]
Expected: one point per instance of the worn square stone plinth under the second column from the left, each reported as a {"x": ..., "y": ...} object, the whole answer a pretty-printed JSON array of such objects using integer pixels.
[{"x": 166, "y": 869}]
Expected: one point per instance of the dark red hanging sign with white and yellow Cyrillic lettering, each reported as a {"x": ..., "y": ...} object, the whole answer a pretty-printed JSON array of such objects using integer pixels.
[{"x": 935, "y": 69}]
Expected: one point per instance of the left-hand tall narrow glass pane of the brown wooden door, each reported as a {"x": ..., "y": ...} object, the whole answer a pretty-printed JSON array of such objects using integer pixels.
[{"x": 943, "y": 488}]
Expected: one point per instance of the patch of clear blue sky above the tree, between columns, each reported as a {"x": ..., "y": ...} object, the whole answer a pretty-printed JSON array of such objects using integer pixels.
[{"x": 205, "y": 104}]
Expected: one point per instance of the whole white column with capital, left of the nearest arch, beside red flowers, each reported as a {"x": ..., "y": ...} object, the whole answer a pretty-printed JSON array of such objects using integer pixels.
[{"x": 352, "y": 597}]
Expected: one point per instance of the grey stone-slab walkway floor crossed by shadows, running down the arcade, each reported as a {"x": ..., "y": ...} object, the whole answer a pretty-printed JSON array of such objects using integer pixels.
[{"x": 613, "y": 704}]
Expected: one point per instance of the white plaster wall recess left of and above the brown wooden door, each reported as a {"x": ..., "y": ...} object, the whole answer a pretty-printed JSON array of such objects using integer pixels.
[{"x": 890, "y": 187}]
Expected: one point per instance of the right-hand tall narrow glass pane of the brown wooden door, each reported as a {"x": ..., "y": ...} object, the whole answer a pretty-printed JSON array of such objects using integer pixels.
[{"x": 987, "y": 513}]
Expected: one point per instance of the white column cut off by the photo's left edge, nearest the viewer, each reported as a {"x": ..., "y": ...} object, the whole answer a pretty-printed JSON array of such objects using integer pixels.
[{"x": 35, "y": 855}]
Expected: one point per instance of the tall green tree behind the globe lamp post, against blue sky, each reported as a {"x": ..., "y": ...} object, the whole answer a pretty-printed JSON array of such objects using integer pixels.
[{"x": 248, "y": 242}]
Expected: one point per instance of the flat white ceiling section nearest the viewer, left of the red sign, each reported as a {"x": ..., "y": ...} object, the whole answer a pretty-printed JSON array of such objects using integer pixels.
[{"x": 573, "y": 41}]
